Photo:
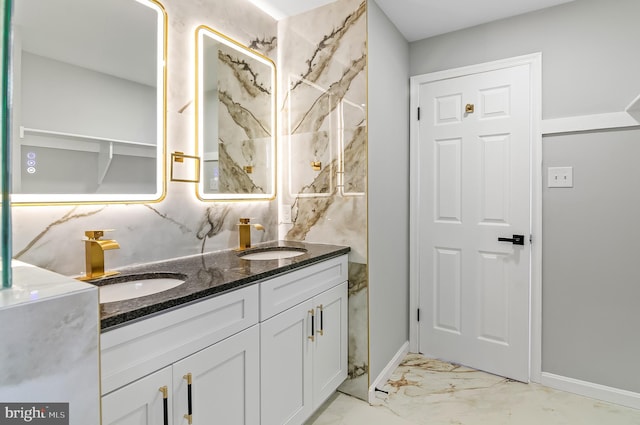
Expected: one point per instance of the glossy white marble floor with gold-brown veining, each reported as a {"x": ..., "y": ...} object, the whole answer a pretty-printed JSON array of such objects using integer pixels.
[{"x": 430, "y": 392}]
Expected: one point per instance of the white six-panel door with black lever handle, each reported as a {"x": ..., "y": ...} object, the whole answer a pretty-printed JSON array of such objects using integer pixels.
[{"x": 474, "y": 188}]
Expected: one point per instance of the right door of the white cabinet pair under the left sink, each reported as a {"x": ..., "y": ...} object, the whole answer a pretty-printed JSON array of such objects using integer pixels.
[{"x": 225, "y": 382}]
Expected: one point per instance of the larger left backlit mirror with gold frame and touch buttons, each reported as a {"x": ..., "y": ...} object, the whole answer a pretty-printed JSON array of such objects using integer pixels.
[{"x": 88, "y": 121}]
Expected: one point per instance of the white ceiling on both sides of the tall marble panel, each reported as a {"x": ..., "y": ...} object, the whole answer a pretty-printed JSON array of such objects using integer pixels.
[{"x": 419, "y": 19}]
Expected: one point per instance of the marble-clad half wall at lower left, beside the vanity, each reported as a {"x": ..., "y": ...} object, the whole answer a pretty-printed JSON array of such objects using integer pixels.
[{"x": 50, "y": 344}]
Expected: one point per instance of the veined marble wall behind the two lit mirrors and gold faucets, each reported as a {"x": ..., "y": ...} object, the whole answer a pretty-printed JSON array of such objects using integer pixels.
[{"x": 51, "y": 236}]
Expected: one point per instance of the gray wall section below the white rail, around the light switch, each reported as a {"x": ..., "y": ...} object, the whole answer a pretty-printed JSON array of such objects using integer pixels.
[{"x": 591, "y": 284}]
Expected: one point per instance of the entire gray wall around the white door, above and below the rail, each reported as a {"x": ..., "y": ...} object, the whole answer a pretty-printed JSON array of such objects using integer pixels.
[{"x": 590, "y": 270}]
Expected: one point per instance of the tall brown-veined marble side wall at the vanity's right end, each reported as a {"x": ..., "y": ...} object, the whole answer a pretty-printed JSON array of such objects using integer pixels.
[{"x": 322, "y": 64}]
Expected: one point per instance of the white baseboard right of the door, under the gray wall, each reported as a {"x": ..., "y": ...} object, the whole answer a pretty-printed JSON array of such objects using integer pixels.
[{"x": 589, "y": 389}]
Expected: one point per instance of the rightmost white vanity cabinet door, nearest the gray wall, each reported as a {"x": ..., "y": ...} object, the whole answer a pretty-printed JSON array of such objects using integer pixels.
[{"x": 330, "y": 346}]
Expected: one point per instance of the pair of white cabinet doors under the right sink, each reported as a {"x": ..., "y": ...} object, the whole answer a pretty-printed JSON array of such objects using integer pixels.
[{"x": 303, "y": 357}]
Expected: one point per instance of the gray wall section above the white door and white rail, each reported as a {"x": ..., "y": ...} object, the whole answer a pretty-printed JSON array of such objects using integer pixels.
[{"x": 590, "y": 61}]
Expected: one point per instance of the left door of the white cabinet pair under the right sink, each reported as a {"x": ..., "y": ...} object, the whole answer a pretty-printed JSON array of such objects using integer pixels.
[{"x": 285, "y": 366}]
